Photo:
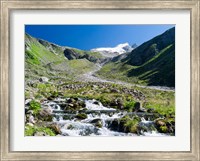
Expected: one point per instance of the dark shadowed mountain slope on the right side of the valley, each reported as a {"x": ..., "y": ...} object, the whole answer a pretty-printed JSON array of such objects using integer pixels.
[{"x": 152, "y": 63}]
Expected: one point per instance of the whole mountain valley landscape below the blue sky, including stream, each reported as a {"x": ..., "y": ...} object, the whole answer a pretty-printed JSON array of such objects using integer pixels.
[{"x": 72, "y": 92}]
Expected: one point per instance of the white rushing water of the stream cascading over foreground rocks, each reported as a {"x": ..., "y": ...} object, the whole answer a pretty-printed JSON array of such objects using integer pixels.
[{"x": 96, "y": 111}]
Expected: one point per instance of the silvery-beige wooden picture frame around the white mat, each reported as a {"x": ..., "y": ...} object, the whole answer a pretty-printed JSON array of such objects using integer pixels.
[{"x": 8, "y": 6}]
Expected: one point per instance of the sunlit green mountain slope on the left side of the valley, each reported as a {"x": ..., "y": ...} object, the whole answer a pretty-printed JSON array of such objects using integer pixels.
[{"x": 47, "y": 59}]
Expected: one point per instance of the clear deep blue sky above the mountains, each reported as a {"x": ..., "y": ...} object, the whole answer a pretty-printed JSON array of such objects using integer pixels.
[{"x": 87, "y": 37}]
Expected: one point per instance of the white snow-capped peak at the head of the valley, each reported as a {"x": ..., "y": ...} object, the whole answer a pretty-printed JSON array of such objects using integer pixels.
[{"x": 114, "y": 51}]
